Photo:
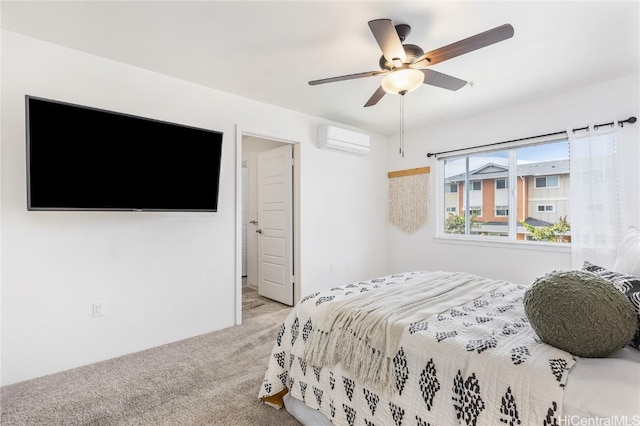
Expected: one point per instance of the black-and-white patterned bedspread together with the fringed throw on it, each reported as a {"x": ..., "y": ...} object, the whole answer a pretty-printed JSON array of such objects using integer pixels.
[{"x": 421, "y": 348}]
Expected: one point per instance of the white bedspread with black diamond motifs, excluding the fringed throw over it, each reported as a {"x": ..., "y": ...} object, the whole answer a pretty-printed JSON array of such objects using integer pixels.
[{"x": 479, "y": 363}]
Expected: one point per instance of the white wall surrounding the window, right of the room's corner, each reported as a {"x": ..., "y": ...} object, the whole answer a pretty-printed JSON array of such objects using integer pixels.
[{"x": 602, "y": 103}]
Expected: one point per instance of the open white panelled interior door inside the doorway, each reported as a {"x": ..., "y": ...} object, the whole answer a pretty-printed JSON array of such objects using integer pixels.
[{"x": 275, "y": 224}]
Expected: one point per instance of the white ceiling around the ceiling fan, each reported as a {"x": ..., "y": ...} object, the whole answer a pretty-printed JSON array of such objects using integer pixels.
[{"x": 268, "y": 50}]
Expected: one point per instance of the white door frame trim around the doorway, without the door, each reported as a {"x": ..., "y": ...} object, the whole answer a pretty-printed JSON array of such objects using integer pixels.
[{"x": 264, "y": 134}]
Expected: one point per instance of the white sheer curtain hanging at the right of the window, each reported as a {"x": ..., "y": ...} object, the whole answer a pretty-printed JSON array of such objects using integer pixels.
[{"x": 597, "y": 218}]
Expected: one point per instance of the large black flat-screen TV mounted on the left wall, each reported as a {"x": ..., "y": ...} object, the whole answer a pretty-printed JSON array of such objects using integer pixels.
[{"x": 82, "y": 158}]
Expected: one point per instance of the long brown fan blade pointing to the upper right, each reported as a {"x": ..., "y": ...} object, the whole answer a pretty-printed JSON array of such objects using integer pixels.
[{"x": 467, "y": 45}]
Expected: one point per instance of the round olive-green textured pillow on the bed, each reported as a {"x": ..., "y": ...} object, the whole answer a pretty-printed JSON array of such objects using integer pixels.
[{"x": 581, "y": 313}]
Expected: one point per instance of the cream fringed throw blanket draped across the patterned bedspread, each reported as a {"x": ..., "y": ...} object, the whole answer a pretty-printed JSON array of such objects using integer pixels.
[{"x": 363, "y": 332}]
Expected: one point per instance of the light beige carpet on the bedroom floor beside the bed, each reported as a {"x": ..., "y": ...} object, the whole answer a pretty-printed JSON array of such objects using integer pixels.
[{"x": 211, "y": 379}]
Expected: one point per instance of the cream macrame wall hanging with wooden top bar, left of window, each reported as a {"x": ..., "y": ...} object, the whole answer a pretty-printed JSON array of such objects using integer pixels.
[{"x": 409, "y": 198}]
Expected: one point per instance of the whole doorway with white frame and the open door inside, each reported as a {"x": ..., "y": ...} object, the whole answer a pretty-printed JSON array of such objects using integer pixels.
[{"x": 267, "y": 253}]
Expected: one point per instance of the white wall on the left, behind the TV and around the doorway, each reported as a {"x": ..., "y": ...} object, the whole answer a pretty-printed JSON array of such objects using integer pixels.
[{"x": 164, "y": 277}]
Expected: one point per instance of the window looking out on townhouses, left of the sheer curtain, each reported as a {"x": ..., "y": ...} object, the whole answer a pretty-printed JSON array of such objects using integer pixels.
[{"x": 523, "y": 210}]
